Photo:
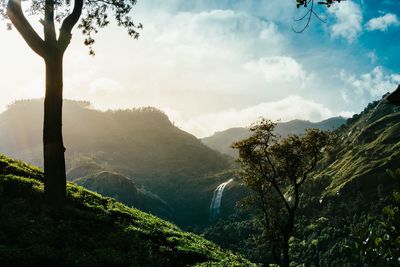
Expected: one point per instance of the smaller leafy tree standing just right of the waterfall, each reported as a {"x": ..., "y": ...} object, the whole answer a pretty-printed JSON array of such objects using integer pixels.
[{"x": 275, "y": 170}]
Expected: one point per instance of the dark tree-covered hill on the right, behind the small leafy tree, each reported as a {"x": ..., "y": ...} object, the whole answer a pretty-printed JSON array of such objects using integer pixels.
[{"x": 342, "y": 203}]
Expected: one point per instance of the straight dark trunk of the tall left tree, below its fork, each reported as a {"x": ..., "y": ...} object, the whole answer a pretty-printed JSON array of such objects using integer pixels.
[{"x": 53, "y": 147}]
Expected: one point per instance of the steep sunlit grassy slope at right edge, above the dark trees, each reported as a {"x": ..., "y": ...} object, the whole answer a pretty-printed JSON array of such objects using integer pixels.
[{"x": 367, "y": 146}]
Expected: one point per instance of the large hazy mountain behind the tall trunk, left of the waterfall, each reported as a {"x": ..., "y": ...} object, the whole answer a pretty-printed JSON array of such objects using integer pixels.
[{"x": 139, "y": 144}]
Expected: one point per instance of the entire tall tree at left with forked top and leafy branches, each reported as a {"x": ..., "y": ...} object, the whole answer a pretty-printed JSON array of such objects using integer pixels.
[{"x": 52, "y": 48}]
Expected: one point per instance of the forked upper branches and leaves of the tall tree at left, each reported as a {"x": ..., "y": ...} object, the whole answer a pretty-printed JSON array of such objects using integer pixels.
[{"x": 90, "y": 16}]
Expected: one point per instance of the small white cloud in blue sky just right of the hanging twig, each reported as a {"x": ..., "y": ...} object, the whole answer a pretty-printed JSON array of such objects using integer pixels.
[{"x": 348, "y": 21}]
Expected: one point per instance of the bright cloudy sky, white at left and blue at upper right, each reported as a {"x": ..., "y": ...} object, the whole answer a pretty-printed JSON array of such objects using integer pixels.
[{"x": 212, "y": 65}]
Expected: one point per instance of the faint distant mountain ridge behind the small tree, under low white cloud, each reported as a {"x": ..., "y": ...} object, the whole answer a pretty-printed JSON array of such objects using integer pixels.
[{"x": 221, "y": 141}]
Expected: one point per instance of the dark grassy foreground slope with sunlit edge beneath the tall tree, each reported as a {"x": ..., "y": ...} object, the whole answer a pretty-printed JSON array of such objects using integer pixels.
[{"x": 90, "y": 230}]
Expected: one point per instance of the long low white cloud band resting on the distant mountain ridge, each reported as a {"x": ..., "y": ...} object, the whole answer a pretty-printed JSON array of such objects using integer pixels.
[{"x": 289, "y": 108}]
